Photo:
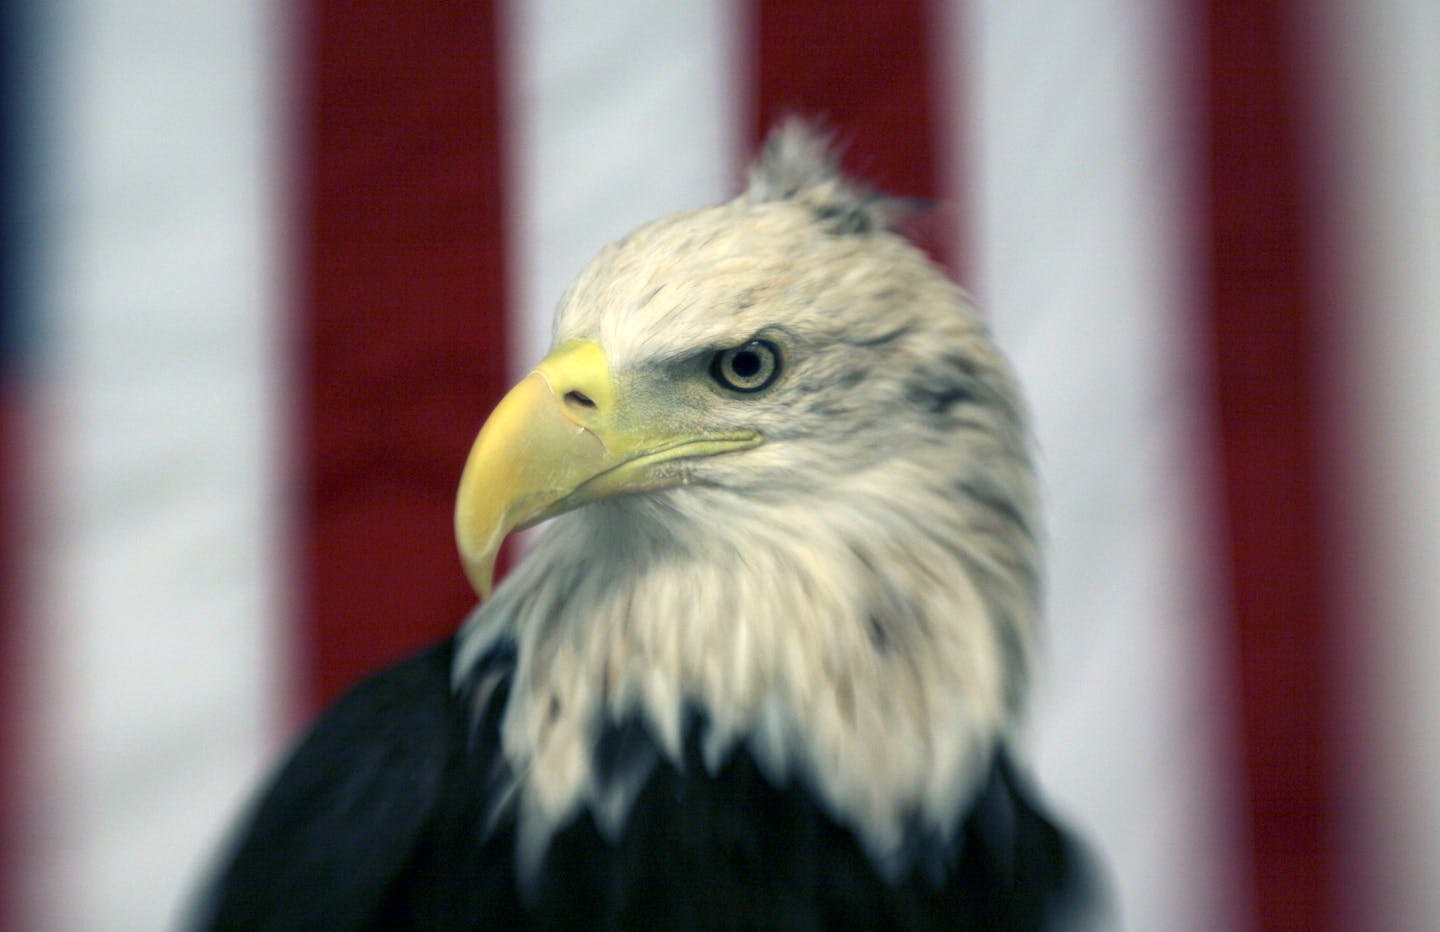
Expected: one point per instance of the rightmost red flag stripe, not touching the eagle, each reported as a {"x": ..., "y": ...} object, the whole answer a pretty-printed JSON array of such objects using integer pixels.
[{"x": 1266, "y": 318}]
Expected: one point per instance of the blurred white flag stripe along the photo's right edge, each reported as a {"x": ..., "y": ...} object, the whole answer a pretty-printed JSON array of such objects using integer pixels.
[{"x": 1390, "y": 87}]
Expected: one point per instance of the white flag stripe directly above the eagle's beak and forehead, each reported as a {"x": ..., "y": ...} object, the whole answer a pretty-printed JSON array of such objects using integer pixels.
[{"x": 621, "y": 113}]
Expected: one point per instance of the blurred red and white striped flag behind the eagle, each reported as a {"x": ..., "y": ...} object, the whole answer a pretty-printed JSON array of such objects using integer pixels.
[{"x": 266, "y": 269}]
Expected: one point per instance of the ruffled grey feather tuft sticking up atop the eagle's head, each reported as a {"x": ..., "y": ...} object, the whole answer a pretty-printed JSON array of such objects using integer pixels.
[{"x": 801, "y": 163}]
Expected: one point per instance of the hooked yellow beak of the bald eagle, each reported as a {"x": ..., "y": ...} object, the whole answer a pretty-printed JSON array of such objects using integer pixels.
[{"x": 557, "y": 442}]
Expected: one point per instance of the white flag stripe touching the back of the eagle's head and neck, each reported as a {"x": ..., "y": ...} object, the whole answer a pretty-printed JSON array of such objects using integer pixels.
[{"x": 1078, "y": 195}]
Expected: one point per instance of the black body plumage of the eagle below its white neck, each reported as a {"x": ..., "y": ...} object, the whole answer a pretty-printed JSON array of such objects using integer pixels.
[{"x": 381, "y": 820}]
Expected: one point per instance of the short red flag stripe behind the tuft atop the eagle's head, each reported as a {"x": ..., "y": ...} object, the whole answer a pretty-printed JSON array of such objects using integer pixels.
[{"x": 872, "y": 73}]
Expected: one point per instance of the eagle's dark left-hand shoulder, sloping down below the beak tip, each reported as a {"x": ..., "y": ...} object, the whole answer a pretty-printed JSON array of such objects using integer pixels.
[{"x": 338, "y": 822}]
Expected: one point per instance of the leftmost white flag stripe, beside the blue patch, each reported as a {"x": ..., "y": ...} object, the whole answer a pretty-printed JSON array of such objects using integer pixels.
[{"x": 161, "y": 316}]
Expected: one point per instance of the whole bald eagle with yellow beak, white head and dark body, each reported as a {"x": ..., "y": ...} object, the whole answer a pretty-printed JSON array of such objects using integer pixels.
[{"x": 762, "y": 669}]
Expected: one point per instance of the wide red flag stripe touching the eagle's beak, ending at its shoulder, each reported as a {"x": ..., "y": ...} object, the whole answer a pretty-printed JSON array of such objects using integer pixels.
[{"x": 402, "y": 326}]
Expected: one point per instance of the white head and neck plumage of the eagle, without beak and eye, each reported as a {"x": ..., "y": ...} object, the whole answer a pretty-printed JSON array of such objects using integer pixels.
[{"x": 855, "y": 600}]
